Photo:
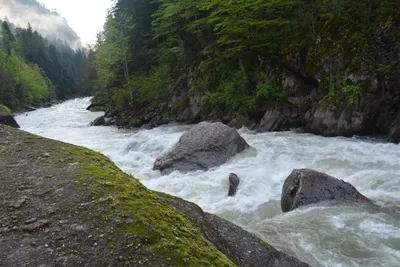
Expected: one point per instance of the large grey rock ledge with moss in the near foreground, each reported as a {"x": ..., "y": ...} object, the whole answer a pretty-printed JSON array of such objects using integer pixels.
[{"x": 64, "y": 205}]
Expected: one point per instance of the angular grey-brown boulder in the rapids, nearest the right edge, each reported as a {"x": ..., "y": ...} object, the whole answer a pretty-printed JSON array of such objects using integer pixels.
[{"x": 304, "y": 186}]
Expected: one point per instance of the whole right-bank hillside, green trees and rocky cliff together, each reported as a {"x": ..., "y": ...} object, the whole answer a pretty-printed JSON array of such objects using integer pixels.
[{"x": 330, "y": 66}]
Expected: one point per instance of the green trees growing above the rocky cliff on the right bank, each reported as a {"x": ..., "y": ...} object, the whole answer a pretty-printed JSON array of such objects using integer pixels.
[{"x": 234, "y": 53}]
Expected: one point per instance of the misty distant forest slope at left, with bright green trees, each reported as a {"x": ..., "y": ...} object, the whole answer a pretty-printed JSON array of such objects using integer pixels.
[{"x": 34, "y": 70}]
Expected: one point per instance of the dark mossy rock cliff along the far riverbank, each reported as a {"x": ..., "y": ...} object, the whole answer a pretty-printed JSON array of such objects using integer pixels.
[{"x": 344, "y": 83}]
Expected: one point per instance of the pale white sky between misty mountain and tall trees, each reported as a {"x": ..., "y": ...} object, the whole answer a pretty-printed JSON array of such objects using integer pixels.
[{"x": 85, "y": 17}]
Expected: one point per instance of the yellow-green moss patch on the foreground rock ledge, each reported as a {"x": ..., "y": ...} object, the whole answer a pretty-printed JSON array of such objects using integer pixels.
[{"x": 166, "y": 234}]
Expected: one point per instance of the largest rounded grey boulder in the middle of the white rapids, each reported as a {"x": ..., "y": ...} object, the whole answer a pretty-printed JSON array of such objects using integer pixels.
[{"x": 204, "y": 146}]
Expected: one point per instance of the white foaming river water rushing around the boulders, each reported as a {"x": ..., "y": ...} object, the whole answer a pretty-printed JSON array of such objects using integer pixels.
[{"x": 321, "y": 235}]
